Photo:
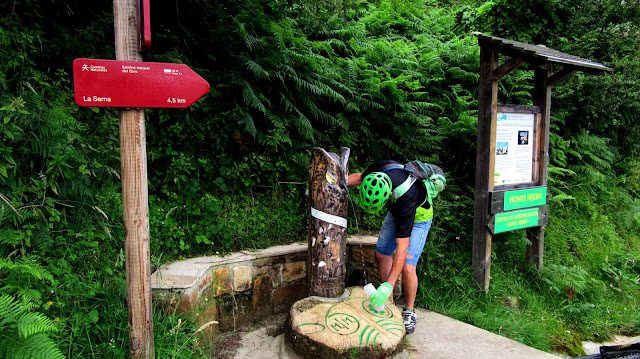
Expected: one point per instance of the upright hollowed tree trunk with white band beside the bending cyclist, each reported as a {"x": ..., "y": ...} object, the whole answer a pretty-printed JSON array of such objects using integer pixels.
[{"x": 326, "y": 262}]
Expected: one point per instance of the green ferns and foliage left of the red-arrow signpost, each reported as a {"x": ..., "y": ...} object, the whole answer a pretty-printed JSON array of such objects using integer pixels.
[{"x": 58, "y": 188}]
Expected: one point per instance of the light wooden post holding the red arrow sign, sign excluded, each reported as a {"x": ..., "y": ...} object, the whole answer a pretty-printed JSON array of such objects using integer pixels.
[{"x": 133, "y": 157}]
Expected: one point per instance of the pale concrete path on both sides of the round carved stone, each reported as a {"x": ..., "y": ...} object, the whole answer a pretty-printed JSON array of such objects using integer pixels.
[{"x": 436, "y": 337}]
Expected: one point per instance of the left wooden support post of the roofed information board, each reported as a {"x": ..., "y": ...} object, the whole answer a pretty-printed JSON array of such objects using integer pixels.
[{"x": 487, "y": 112}]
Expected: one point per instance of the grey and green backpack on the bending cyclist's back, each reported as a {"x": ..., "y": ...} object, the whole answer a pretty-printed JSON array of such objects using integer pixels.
[{"x": 431, "y": 177}]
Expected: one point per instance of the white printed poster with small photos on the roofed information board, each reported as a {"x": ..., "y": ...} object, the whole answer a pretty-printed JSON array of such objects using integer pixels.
[{"x": 514, "y": 148}]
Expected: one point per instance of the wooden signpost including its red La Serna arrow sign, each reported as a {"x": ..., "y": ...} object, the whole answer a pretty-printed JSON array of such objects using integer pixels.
[{"x": 129, "y": 83}]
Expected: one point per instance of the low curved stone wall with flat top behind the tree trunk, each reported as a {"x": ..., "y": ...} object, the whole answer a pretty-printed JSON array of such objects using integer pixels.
[{"x": 244, "y": 287}]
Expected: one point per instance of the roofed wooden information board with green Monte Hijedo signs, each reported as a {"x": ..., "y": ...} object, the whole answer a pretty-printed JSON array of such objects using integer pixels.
[{"x": 513, "y": 148}]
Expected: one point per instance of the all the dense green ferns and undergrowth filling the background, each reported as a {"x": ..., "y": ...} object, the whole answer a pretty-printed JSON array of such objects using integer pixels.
[{"x": 389, "y": 79}]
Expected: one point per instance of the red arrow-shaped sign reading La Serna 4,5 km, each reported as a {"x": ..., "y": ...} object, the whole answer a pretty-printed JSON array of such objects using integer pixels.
[{"x": 112, "y": 83}]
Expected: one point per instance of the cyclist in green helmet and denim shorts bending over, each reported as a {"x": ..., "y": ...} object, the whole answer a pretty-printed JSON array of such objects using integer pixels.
[{"x": 405, "y": 228}]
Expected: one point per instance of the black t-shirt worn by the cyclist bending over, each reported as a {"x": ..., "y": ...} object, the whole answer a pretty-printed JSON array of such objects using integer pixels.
[{"x": 404, "y": 209}]
